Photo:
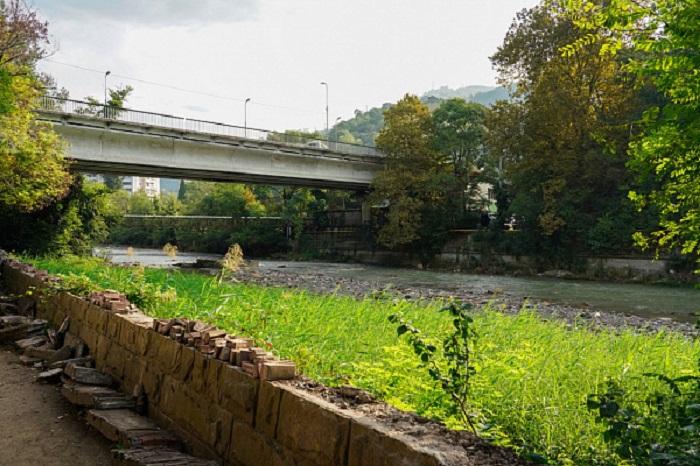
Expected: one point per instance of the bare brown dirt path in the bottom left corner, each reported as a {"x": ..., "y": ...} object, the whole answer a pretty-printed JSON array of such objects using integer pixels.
[{"x": 38, "y": 427}]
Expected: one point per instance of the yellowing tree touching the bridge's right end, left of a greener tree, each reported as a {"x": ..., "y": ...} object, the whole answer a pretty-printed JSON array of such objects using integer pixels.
[{"x": 406, "y": 140}]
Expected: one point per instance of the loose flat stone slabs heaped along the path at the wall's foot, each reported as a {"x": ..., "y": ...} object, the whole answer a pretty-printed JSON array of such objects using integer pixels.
[{"x": 63, "y": 358}]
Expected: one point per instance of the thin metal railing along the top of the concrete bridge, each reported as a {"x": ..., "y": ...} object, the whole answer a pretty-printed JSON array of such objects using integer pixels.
[{"x": 99, "y": 111}]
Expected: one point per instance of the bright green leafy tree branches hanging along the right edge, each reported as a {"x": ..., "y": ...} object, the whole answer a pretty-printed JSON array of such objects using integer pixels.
[{"x": 664, "y": 36}]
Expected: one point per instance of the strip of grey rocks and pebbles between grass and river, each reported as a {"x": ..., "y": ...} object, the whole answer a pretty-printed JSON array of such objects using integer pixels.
[{"x": 572, "y": 316}]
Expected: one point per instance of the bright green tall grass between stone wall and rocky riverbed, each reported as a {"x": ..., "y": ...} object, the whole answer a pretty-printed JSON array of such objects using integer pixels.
[{"x": 533, "y": 375}]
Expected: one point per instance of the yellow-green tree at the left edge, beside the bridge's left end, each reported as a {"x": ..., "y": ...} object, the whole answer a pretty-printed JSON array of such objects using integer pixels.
[{"x": 34, "y": 172}]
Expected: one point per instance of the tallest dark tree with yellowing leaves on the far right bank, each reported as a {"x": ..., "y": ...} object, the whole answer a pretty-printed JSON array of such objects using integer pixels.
[{"x": 564, "y": 153}]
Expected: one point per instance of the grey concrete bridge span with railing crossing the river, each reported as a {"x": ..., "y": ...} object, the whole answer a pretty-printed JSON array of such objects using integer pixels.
[{"x": 128, "y": 142}]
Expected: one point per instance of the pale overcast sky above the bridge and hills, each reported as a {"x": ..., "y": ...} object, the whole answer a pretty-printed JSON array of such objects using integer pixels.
[{"x": 202, "y": 58}]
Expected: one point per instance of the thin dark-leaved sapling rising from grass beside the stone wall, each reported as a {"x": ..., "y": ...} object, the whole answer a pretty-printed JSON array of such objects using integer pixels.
[{"x": 454, "y": 372}]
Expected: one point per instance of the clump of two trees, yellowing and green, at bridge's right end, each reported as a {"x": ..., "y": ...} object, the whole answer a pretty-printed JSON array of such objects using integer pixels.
[{"x": 433, "y": 166}]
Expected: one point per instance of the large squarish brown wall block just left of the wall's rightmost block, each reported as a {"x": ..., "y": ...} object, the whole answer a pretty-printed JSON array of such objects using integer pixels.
[{"x": 316, "y": 431}]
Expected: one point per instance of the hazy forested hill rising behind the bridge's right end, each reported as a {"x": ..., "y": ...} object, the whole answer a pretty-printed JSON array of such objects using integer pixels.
[{"x": 365, "y": 126}]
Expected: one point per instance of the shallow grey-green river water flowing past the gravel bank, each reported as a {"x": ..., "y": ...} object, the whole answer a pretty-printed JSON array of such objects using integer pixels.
[{"x": 632, "y": 299}]
